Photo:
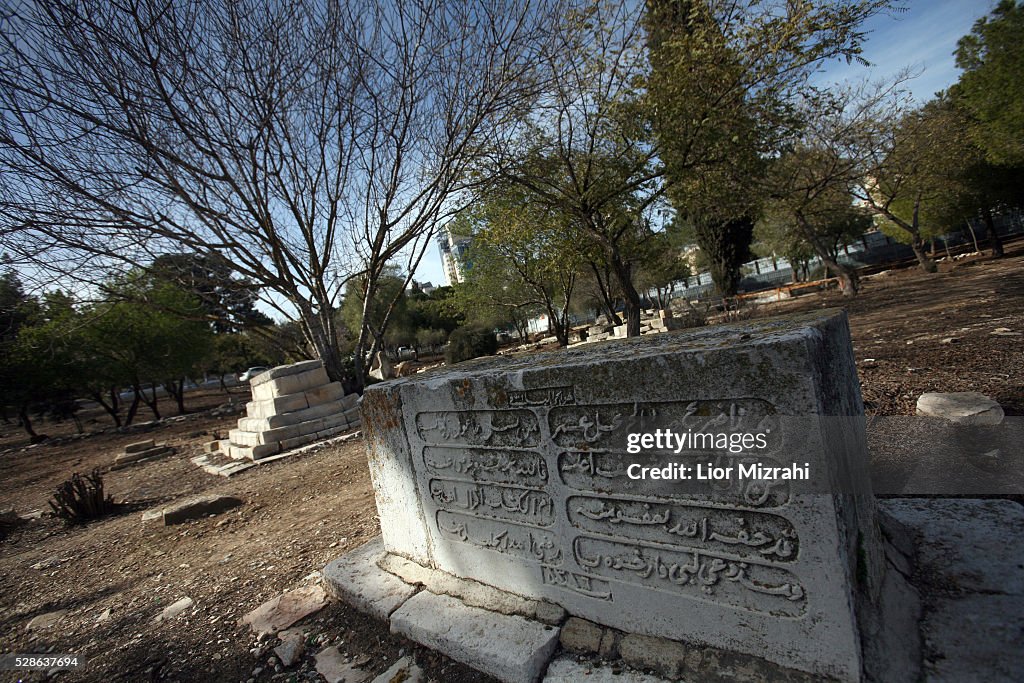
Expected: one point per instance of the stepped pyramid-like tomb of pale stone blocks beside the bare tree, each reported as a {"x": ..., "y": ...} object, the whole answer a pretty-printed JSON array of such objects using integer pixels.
[{"x": 292, "y": 406}]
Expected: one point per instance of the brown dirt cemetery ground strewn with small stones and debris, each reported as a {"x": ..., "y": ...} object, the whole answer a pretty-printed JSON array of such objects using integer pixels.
[{"x": 959, "y": 330}]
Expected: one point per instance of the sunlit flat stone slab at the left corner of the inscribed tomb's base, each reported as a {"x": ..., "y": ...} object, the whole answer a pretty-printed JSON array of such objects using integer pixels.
[{"x": 356, "y": 579}]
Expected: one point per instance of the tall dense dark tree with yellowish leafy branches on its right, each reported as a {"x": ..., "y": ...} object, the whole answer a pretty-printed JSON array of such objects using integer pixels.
[{"x": 726, "y": 82}]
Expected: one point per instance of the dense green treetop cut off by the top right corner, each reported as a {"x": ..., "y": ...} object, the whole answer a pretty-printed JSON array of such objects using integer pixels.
[{"x": 992, "y": 89}]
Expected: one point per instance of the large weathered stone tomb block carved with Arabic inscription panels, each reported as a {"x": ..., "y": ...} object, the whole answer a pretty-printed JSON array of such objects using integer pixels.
[{"x": 514, "y": 473}]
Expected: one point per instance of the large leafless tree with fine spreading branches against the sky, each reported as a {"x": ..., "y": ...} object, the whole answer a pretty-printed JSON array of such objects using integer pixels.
[{"x": 306, "y": 142}]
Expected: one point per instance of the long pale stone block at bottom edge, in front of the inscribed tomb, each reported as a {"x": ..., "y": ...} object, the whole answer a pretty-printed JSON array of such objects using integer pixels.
[{"x": 510, "y": 649}]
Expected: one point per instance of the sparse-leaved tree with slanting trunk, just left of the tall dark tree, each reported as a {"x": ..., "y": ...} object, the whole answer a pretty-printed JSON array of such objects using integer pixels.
[{"x": 584, "y": 151}]
